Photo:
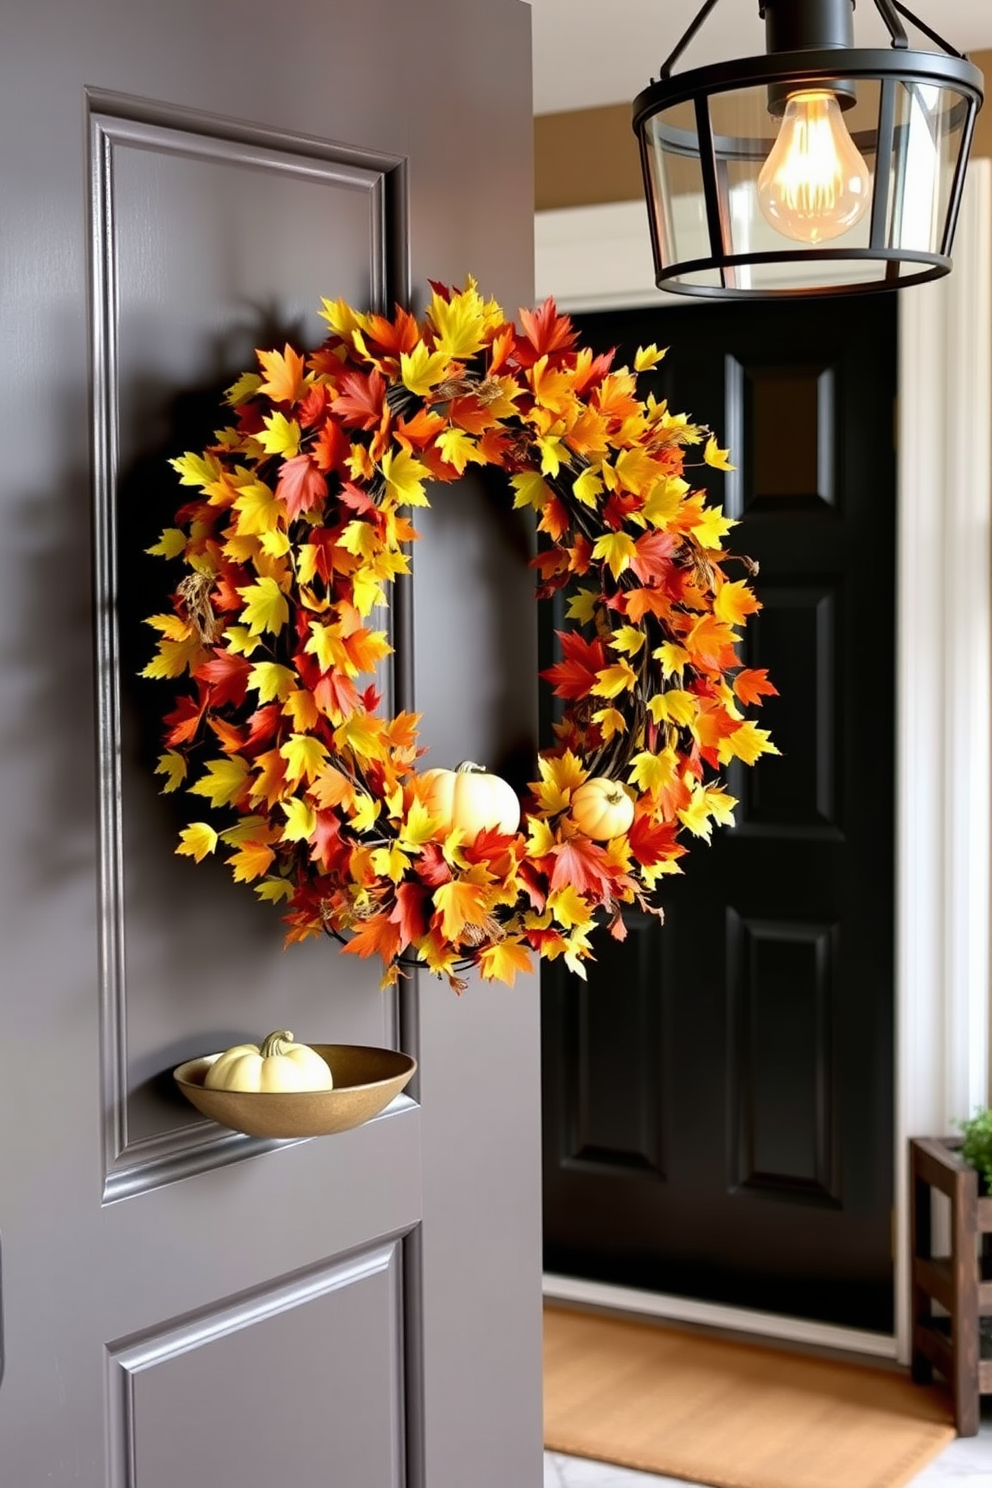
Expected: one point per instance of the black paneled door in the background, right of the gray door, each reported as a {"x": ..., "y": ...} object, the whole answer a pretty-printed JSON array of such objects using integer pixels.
[{"x": 719, "y": 1097}]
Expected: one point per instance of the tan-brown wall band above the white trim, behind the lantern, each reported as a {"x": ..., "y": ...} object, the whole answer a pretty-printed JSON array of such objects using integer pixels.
[{"x": 590, "y": 155}]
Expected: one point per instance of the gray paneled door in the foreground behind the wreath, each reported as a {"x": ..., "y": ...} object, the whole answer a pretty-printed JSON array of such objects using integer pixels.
[{"x": 185, "y": 1306}]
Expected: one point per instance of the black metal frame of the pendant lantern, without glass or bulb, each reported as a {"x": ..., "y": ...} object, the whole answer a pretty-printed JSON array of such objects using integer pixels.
[{"x": 810, "y": 48}]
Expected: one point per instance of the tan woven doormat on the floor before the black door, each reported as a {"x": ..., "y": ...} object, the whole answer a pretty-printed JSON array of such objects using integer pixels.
[{"x": 731, "y": 1414}]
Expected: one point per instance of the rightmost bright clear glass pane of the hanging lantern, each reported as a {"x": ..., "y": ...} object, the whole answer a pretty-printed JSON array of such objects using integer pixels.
[{"x": 930, "y": 126}]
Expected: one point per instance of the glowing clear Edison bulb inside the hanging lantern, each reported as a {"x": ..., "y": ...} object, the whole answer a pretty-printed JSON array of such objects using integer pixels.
[{"x": 814, "y": 185}]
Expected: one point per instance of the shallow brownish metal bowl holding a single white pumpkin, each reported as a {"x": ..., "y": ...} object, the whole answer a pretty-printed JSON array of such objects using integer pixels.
[{"x": 367, "y": 1081}]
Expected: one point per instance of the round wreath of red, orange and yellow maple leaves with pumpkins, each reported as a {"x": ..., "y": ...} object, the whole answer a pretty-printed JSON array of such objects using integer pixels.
[{"x": 297, "y": 530}]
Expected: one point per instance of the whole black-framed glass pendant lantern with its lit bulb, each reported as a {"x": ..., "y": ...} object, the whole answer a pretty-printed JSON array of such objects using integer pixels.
[{"x": 819, "y": 169}]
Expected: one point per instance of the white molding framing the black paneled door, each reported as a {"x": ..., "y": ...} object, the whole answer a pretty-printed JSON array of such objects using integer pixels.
[{"x": 599, "y": 258}]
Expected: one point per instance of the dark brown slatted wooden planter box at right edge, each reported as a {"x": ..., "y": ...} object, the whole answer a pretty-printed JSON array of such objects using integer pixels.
[{"x": 950, "y": 1344}]
